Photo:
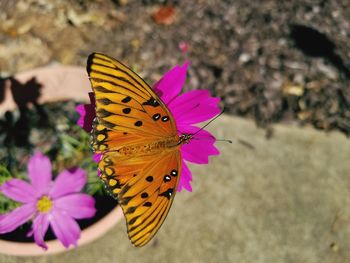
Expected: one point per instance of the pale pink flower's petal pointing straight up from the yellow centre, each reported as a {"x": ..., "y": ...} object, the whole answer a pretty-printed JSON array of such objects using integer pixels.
[{"x": 39, "y": 172}]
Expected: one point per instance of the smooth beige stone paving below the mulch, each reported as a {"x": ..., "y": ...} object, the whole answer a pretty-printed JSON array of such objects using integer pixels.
[{"x": 285, "y": 199}]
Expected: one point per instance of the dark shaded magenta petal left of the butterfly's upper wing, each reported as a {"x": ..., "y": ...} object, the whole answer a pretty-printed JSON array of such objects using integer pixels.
[{"x": 87, "y": 113}]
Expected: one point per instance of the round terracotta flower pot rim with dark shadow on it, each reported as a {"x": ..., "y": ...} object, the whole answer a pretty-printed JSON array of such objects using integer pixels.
[{"x": 43, "y": 85}]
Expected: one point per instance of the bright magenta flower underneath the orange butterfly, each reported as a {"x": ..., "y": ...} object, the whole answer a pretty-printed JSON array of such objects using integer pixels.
[{"x": 188, "y": 109}]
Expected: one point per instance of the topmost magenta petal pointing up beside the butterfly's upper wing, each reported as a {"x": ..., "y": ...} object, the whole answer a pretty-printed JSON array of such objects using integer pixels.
[{"x": 170, "y": 85}]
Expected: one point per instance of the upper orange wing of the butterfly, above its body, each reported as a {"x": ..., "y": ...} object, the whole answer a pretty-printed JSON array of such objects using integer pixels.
[{"x": 127, "y": 109}]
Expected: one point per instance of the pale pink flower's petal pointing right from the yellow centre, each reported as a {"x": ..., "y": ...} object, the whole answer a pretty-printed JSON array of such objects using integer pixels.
[{"x": 77, "y": 205}]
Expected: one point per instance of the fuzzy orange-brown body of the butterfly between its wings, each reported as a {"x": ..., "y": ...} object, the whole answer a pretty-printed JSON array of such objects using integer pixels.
[{"x": 150, "y": 148}]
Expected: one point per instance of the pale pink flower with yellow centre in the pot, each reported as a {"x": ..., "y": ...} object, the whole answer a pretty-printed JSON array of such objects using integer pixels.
[{"x": 45, "y": 202}]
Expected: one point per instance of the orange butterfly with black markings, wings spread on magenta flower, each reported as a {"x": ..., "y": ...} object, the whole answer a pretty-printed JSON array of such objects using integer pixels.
[{"x": 136, "y": 135}]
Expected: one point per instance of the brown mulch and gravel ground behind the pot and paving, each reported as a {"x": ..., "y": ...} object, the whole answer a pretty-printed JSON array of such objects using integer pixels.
[{"x": 258, "y": 56}]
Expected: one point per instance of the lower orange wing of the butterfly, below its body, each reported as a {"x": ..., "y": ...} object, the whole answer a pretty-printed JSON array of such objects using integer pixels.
[{"x": 145, "y": 188}]
